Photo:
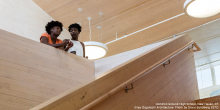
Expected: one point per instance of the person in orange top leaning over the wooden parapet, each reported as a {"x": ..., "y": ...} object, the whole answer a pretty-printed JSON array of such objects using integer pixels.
[{"x": 53, "y": 30}]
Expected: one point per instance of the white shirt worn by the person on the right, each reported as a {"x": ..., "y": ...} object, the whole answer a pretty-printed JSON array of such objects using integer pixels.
[{"x": 77, "y": 47}]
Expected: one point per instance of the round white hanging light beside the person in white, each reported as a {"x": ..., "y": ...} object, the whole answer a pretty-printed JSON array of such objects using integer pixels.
[{"x": 95, "y": 50}]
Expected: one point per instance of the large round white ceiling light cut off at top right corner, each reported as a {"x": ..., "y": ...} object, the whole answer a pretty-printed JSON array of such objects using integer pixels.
[{"x": 202, "y": 8}]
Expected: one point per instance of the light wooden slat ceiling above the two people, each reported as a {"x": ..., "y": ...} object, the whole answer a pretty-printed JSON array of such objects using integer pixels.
[{"x": 123, "y": 17}]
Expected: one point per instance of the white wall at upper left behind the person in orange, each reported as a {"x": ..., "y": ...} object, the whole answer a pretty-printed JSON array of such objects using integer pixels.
[{"x": 25, "y": 18}]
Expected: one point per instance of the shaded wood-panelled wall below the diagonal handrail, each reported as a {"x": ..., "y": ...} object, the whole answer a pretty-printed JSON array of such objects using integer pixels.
[{"x": 174, "y": 83}]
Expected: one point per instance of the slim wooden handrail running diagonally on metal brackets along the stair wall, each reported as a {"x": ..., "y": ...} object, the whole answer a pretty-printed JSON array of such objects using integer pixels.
[{"x": 136, "y": 77}]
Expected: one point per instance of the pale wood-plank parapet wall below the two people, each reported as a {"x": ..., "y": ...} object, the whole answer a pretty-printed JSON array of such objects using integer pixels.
[{"x": 32, "y": 72}]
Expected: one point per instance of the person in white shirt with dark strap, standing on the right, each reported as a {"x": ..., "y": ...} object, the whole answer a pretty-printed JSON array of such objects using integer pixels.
[{"x": 78, "y": 48}]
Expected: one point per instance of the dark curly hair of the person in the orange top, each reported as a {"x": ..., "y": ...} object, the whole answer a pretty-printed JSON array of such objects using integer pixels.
[{"x": 52, "y": 24}]
